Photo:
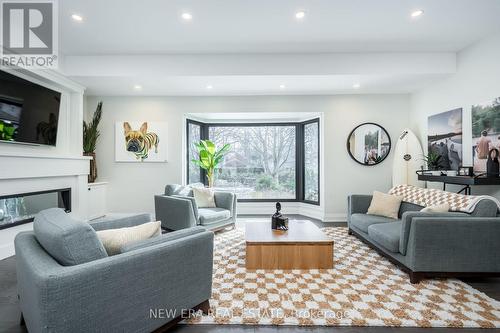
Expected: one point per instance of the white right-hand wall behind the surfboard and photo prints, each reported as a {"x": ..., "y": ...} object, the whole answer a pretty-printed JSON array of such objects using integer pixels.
[{"x": 477, "y": 80}]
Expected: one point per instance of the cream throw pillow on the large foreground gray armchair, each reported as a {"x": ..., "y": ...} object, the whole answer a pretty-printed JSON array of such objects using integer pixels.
[{"x": 114, "y": 239}]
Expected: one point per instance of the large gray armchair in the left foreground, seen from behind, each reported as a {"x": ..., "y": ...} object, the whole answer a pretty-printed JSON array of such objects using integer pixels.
[{"x": 67, "y": 282}]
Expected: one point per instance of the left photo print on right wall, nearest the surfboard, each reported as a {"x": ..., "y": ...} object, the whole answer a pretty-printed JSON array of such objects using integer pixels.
[{"x": 444, "y": 137}]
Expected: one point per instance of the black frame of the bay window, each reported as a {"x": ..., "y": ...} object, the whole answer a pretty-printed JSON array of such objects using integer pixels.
[{"x": 299, "y": 154}]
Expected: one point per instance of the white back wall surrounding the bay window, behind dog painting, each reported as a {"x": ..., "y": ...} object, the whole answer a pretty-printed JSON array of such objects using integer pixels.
[{"x": 132, "y": 185}]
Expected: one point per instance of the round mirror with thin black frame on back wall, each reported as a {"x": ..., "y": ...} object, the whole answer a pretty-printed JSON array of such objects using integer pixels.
[{"x": 369, "y": 144}]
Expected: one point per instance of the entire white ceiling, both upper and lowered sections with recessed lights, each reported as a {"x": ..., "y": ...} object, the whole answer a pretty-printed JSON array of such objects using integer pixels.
[{"x": 243, "y": 28}]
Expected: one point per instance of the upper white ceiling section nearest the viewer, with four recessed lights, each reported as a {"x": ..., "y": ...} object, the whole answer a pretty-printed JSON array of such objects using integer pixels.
[{"x": 254, "y": 26}]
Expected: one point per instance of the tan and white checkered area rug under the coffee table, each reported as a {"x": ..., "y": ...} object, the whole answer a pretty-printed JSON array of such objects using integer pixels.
[{"x": 363, "y": 289}]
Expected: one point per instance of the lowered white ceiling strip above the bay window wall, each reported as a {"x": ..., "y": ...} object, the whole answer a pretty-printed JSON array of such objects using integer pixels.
[{"x": 258, "y": 85}]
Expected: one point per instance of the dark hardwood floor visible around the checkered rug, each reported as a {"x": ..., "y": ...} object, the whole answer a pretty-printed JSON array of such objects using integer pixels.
[{"x": 10, "y": 314}]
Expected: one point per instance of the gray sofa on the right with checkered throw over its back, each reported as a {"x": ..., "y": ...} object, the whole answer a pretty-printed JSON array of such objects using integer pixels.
[{"x": 448, "y": 244}]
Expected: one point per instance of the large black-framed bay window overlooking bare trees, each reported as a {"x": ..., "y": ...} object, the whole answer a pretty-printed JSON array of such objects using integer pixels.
[{"x": 266, "y": 162}]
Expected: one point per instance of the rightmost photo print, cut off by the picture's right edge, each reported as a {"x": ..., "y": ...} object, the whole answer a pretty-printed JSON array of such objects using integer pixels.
[{"x": 485, "y": 132}]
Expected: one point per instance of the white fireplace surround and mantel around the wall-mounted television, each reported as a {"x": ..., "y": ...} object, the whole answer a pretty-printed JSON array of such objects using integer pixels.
[{"x": 30, "y": 168}]
